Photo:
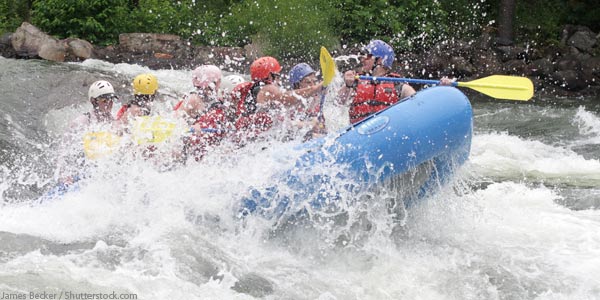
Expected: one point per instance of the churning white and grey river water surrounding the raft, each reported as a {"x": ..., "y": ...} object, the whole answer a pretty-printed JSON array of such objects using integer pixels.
[{"x": 520, "y": 220}]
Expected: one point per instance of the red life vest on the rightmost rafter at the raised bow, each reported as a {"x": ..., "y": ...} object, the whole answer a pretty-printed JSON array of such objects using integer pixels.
[{"x": 371, "y": 97}]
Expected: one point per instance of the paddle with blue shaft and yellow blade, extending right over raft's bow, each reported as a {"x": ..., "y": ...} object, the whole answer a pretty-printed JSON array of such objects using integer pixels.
[{"x": 495, "y": 86}]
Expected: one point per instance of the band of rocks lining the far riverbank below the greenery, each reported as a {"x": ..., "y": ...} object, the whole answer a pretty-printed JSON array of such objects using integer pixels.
[{"x": 572, "y": 66}]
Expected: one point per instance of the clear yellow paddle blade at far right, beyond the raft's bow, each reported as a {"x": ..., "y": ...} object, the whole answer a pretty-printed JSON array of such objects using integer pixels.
[{"x": 502, "y": 87}]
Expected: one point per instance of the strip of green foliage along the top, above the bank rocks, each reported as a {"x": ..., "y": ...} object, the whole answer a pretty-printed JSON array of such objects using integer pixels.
[{"x": 296, "y": 28}]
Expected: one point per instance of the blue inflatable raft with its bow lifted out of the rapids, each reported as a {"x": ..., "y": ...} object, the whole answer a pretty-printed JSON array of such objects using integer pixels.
[{"x": 415, "y": 144}]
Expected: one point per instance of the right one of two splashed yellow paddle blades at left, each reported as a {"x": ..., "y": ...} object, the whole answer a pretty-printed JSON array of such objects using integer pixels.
[{"x": 152, "y": 130}]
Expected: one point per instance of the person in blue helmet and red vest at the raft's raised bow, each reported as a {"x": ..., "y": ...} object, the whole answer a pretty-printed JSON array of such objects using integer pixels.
[{"x": 366, "y": 97}]
